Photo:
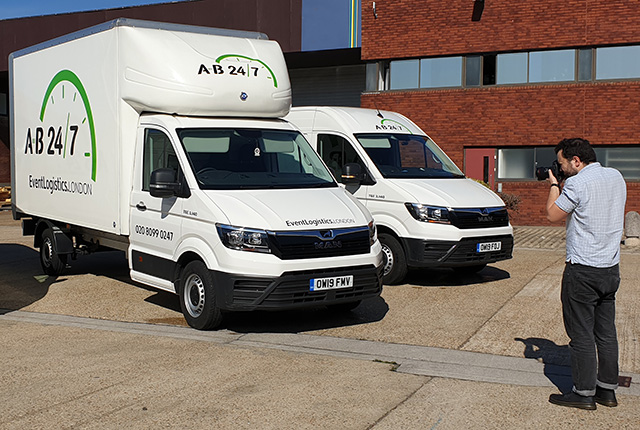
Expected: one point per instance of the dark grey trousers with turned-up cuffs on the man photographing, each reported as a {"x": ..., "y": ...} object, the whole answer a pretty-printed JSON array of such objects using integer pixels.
[{"x": 588, "y": 308}]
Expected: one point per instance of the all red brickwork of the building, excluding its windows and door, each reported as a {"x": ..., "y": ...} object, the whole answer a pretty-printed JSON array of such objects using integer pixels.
[{"x": 533, "y": 115}]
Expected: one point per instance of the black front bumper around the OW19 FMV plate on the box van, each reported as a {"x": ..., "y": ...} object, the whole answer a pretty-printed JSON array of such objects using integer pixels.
[{"x": 236, "y": 292}]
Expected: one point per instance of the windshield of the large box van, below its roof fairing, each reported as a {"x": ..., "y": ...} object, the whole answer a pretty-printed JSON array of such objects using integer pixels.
[{"x": 253, "y": 158}]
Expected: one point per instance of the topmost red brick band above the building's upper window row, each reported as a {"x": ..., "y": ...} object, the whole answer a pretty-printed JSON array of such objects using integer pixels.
[{"x": 413, "y": 28}]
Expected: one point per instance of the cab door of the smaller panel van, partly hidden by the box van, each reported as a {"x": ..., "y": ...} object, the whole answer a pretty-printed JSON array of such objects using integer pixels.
[{"x": 336, "y": 151}]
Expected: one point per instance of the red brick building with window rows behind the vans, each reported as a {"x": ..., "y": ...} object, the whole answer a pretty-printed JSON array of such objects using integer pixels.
[{"x": 575, "y": 72}]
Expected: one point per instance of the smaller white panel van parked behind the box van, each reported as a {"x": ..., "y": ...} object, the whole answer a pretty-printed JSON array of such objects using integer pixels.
[{"x": 427, "y": 213}]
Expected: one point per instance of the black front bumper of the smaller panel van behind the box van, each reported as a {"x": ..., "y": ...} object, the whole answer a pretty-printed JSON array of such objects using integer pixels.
[{"x": 439, "y": 253}]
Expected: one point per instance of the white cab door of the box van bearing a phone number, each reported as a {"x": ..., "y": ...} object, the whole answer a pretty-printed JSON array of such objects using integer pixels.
[{"x": 156, "y": 222}]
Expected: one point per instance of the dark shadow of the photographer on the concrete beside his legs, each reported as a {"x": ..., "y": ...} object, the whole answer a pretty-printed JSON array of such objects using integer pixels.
[{"x": 556, "y": 360}]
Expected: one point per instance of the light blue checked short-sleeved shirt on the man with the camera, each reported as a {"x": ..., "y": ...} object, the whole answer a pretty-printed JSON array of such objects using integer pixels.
[{"x": 594, "y": 199}]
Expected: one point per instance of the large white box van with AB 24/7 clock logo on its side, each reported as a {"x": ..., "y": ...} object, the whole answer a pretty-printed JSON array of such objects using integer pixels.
[{"x": 164, "y": 141}]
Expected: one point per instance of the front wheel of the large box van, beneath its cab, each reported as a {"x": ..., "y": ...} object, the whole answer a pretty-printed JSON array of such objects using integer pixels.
[{"x": 197, "y": 297}]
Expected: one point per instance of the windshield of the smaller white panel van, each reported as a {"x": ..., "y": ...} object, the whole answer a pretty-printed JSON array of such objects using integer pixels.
[{"x": 408, "y": 156}]
